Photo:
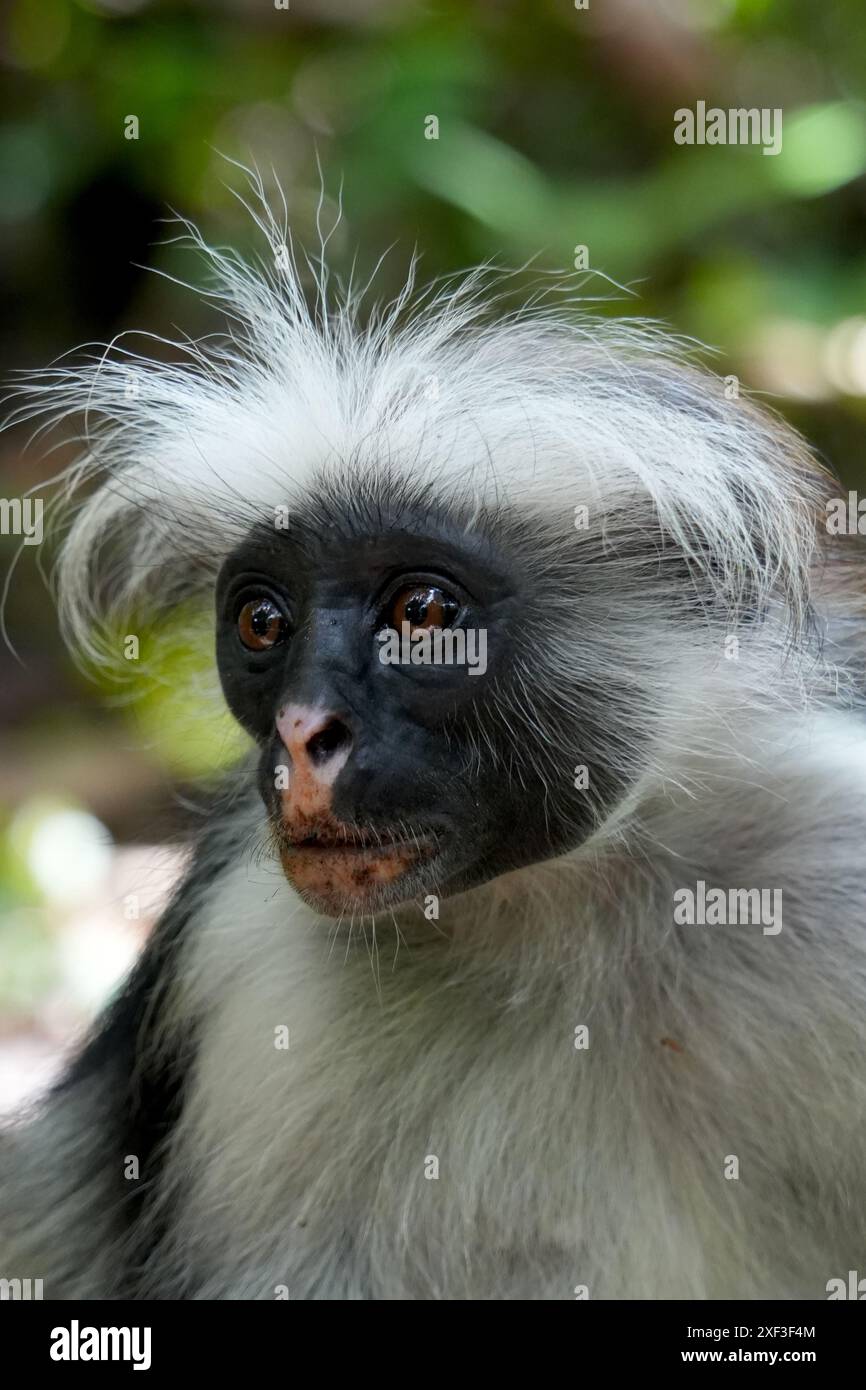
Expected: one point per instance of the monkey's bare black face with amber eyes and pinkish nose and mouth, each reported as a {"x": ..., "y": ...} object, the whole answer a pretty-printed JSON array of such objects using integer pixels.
[{"x": 404, "y": 753}]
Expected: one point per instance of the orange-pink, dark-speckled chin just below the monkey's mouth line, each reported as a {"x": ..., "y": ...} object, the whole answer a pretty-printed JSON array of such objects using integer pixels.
[{"x": 338, "y": 881}]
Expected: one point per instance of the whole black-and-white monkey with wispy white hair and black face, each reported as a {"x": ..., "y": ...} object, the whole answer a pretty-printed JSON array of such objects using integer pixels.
[{"x": 425, "y": 1018}]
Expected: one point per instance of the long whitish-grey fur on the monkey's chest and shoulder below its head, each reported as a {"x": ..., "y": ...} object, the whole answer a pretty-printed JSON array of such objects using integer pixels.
[{"x": 307, "y": 1168}]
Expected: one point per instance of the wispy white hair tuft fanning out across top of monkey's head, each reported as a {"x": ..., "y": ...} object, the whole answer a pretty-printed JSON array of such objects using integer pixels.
[{"x": 539, "y": 409}]
